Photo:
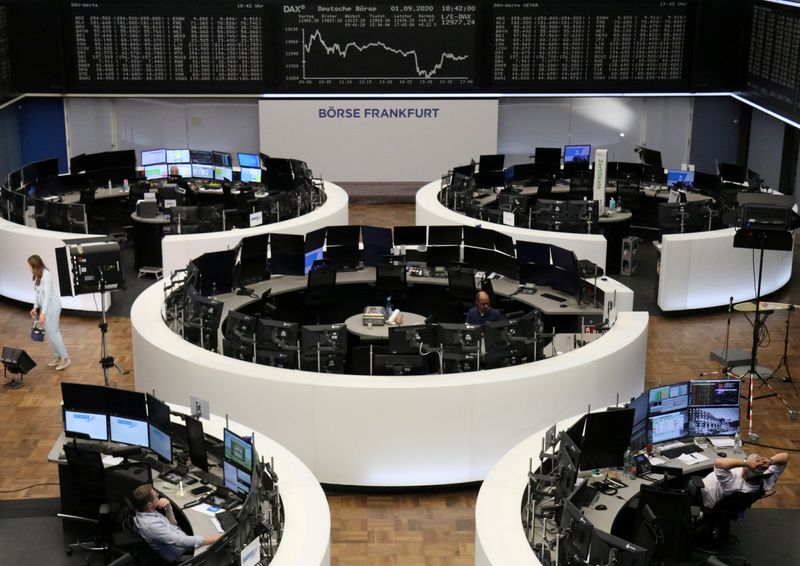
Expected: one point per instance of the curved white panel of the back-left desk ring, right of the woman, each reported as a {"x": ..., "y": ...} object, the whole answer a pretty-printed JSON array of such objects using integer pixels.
[{"x": 178, "y": 250}]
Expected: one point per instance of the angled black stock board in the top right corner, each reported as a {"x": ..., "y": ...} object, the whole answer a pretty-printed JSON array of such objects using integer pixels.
[{"x": 773, "y": 59}]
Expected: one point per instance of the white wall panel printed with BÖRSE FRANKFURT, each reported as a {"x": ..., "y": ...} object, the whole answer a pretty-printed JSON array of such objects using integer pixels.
[{"x": 363, "y": 144}]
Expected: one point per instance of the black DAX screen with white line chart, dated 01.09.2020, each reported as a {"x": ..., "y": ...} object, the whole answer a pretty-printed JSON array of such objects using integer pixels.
[{"x": 378, "y": 45}]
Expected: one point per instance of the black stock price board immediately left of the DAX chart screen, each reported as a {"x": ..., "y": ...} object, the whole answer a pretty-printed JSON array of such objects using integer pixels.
[{"x": 204, "y": 46}]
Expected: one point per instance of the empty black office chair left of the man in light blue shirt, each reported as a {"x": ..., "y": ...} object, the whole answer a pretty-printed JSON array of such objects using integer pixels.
[{"x": 87, "y": 479}]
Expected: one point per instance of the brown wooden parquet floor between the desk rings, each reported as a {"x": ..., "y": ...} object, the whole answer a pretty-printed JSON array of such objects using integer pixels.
[{"x": 410, "y": 528}]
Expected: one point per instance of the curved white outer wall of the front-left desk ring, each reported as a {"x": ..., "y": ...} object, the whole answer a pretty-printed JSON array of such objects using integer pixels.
[{"x": 307, "y": 530}]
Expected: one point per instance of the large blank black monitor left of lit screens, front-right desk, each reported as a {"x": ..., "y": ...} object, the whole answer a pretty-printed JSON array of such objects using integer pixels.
[{"x": 605, "y": 438}]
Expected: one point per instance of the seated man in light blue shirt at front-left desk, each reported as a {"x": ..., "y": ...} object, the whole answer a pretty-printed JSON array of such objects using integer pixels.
[{"x": 161, "y": 531}]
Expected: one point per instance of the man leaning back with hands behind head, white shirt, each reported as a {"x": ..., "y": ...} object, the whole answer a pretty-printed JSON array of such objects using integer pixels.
[{"x": 757, "y": 474}]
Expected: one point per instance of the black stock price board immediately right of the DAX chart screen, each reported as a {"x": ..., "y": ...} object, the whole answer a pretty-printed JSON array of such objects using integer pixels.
[{"x": 580, "y": 45}]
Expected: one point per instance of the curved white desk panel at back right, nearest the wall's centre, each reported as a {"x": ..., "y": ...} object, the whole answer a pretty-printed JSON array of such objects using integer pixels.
[{"x": 433, "y": 213}]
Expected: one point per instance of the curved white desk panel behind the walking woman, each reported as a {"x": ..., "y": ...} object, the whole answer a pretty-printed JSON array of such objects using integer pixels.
[{"x": 17, "y": 244}]
